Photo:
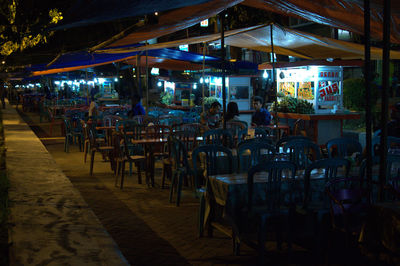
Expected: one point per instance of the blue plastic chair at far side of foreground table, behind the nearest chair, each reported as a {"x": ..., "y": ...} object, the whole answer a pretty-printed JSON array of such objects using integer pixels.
[{"x": 259, "y": 150}]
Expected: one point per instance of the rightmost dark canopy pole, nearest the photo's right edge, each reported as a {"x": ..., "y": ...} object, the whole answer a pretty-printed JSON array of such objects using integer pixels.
[{"x": 385, "y": 89}]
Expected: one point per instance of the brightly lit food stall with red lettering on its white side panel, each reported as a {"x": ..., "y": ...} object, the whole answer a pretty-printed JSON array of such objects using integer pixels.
[{"x": 320, "y": 84}]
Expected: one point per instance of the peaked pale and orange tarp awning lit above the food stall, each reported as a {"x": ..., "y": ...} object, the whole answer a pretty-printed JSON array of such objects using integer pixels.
[{"x": 286, "y": 42}]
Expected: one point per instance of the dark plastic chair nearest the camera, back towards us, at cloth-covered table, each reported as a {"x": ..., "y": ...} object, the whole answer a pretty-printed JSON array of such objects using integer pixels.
[{"x": 271, "y": 206}]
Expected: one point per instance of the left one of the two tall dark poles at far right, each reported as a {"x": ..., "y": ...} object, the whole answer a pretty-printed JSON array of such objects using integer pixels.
[{"x": 367, "y": 80}]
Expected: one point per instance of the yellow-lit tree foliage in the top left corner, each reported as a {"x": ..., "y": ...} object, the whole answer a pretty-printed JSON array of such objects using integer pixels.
[{"x": 25, "y": 24}]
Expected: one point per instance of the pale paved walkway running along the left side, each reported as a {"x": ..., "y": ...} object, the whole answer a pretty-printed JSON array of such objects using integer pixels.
[{"x": 51, "y": 223}]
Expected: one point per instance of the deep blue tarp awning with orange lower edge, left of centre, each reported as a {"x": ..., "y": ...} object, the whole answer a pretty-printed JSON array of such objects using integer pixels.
[{"x": 81, "y": 60}]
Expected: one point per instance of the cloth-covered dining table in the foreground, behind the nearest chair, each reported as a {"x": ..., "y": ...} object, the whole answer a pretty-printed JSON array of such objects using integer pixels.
[{"x": 227, "y": 196}]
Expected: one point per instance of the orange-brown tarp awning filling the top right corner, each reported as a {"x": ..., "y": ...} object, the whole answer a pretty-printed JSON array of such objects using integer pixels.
[{"x": 342, "y": 14}]
